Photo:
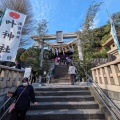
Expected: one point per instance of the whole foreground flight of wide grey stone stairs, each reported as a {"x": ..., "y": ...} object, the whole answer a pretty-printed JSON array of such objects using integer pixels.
[{"x": 64, "y": 103}]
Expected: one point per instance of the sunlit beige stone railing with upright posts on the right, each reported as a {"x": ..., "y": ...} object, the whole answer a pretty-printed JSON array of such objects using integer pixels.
[{"x": 107, "y": 76}]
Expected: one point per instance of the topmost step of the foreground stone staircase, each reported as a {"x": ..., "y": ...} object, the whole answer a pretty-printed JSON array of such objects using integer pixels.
[{"x": 61, "y": 88}]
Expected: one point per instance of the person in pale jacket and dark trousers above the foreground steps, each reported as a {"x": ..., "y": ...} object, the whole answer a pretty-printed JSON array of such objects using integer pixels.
[{"x": 72, "y": 73}]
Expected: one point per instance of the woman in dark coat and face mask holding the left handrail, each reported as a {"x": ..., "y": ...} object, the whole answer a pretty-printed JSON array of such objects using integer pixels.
[{"x": 23, "y": 102}]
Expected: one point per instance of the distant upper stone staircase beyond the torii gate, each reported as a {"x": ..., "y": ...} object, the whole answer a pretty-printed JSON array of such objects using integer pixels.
[{"x": 61, "y": 74}]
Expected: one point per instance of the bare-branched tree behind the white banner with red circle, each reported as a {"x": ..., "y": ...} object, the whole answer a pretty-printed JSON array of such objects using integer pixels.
[{"x": 22, "y": 6}]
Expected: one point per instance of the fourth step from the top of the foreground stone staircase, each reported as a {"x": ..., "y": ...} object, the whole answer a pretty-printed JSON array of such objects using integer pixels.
[{"x": 65, "y": 105}]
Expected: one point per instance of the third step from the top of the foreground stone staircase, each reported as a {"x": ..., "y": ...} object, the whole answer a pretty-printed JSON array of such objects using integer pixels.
[{"x": 64, "y": 98}]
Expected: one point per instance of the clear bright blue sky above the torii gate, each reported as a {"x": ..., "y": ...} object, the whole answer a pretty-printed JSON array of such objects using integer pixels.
[{"x": 68, "y": 15}]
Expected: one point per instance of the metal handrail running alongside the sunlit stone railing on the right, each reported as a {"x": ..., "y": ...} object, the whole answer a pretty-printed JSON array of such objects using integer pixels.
[{"x": 112, "y": 104}]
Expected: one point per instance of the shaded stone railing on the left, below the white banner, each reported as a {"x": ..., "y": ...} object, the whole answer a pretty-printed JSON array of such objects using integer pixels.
[{"x": 10, "y": 78}]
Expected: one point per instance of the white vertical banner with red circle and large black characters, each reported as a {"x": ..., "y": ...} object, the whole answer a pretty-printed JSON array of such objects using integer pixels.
[{"x": 10, "y": 34}]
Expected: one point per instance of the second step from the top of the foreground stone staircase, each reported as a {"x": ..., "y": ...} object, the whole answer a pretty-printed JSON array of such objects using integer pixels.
[{"x": 62, "y": 93}]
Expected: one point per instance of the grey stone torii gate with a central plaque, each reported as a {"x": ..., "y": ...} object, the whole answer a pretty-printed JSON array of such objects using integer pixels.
[{"x": 59, "y": 36}]
